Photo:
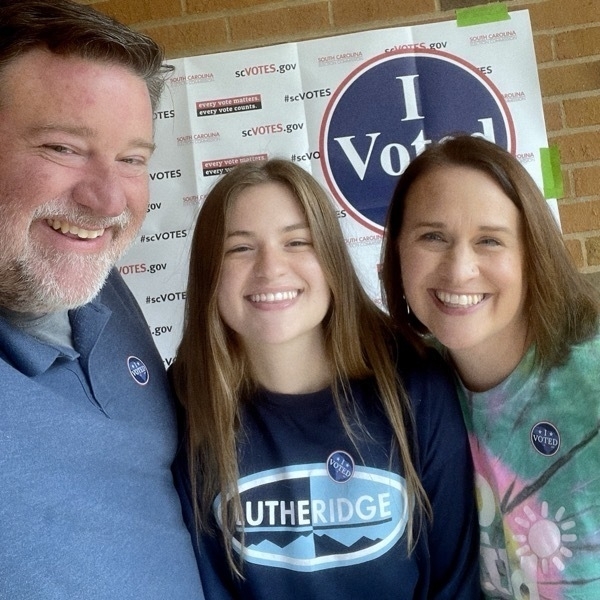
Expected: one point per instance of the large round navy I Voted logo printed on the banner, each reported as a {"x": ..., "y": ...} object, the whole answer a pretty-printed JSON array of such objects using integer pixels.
[{"x": 388, "y": 110}]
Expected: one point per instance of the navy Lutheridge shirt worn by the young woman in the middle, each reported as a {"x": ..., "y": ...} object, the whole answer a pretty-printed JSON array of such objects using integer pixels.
[{"x": 325, "y": 515}]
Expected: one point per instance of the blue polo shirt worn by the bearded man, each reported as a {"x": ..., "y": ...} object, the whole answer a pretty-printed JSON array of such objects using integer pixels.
[{"x": 88, "y": 509}]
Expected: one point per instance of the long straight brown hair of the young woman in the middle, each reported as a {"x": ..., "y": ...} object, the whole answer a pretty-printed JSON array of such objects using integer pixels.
[{"x": 212, "y": 375}]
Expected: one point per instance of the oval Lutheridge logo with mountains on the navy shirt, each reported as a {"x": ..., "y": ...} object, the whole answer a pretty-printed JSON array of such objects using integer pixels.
[{"x": 300, "y": 518}]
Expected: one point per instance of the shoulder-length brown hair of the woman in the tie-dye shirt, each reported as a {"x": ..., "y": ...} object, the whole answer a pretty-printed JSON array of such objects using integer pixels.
[{"x": 562, "y": 306}]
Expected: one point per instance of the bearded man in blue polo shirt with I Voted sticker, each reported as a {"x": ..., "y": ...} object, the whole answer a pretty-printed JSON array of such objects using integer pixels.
[{"x": 88, "y": 509}]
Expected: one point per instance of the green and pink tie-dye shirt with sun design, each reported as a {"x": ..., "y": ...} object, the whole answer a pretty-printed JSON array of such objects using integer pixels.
[{"x": 536, "y": 451}]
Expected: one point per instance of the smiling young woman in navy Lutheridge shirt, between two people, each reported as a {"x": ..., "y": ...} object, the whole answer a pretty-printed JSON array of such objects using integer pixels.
[{"x": 307, "y": 477}]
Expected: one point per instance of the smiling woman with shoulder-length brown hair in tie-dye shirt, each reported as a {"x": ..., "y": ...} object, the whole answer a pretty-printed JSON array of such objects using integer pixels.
[{"x": 474, "y": 262}]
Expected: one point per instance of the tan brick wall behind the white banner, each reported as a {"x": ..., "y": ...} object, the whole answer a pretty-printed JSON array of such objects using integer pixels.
[{"x": 566, "y": 36}]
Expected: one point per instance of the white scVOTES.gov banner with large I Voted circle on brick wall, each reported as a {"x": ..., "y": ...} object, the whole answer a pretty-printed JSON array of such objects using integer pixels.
[{"x": 352, "y": 110}]
